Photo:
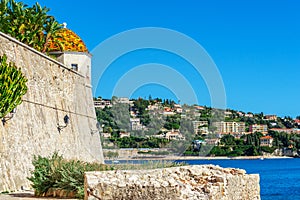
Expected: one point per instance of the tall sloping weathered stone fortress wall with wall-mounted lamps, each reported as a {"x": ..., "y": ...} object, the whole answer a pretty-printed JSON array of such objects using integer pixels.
[{"x": 53, "y": 92}]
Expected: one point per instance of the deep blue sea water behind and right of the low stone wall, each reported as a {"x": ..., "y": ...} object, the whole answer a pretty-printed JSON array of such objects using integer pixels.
[{"x": 279, "y": 178}]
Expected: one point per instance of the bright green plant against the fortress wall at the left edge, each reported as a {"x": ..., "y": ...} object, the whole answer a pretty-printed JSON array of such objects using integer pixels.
[{"x": 12, "y": 86}]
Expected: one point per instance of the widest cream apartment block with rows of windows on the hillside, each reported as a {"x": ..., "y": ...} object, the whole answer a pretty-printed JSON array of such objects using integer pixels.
[{"x": 229, "y": 127}]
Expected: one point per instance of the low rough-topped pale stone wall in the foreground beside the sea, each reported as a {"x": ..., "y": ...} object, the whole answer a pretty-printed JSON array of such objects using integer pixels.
[{"x": 187, "y": 182}]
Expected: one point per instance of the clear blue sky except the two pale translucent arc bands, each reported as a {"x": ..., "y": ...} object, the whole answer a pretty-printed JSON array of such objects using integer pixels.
[{"x": 254, "y": 43}]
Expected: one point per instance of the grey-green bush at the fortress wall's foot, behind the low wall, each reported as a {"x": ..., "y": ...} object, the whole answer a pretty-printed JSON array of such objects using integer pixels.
[{"x": 56, "y": 173}]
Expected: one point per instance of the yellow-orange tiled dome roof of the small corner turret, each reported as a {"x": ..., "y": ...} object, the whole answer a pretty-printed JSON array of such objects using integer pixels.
[{"x": 67, "y": 40}]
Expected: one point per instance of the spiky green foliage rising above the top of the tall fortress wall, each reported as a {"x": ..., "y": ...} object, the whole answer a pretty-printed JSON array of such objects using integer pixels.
[{"x": 30, "y": 25}]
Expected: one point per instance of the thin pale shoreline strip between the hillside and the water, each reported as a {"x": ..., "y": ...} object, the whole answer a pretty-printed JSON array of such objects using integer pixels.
[{"x": 174, "y": 158}]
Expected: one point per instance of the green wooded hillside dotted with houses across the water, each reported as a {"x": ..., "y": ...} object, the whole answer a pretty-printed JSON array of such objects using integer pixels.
[{"x": 150, "y": 125}]
